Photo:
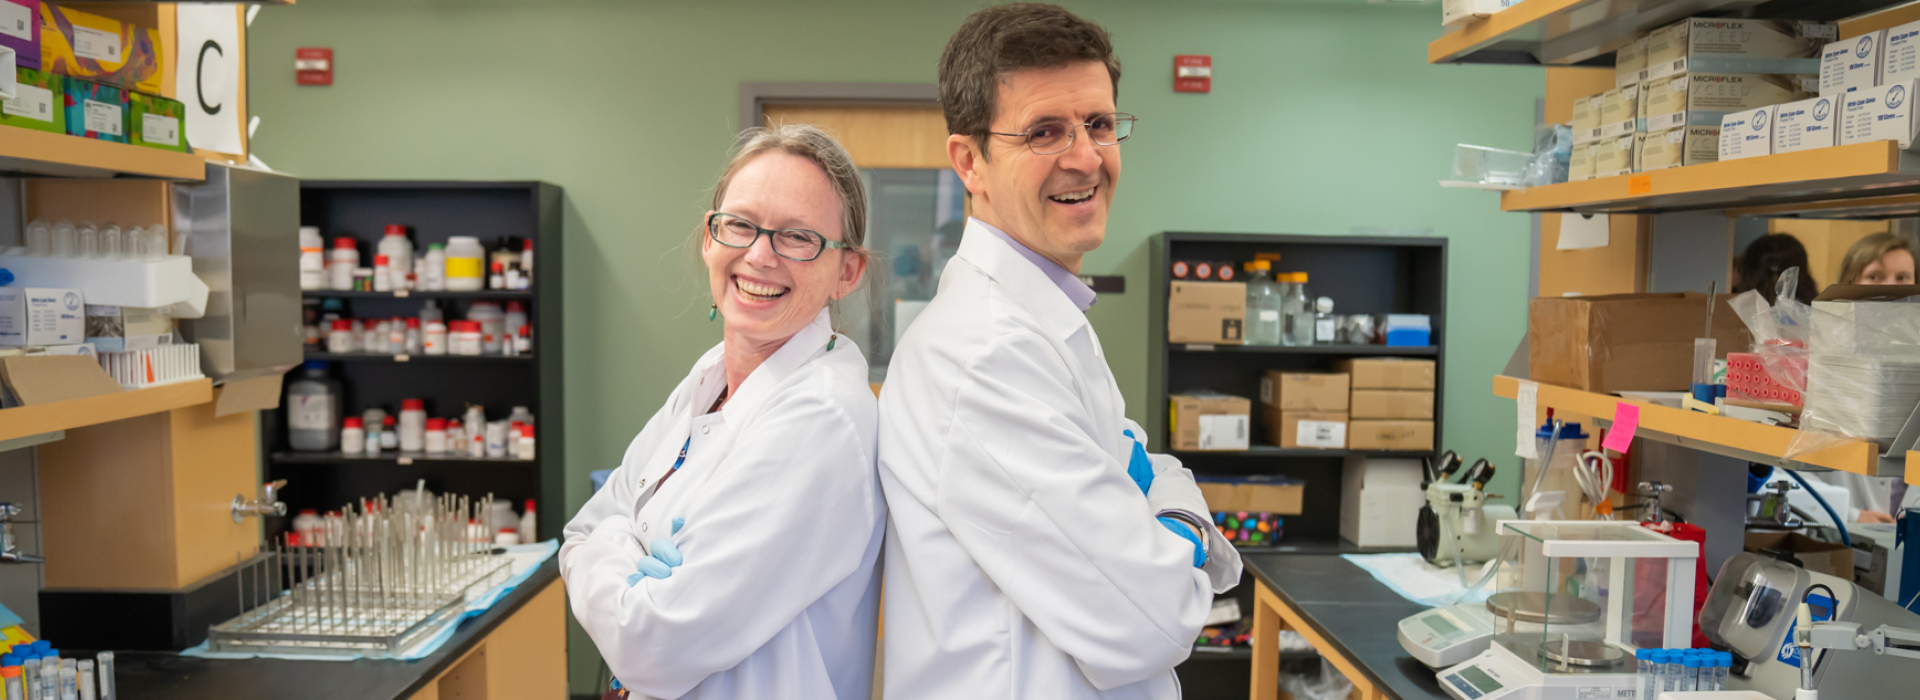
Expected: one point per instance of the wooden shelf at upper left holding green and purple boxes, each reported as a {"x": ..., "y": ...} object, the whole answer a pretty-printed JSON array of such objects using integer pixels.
[{"x": 37, "y": 152}]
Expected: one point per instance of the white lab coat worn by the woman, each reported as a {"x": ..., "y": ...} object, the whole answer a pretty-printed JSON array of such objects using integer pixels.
[{"x": 784, "y": 525}]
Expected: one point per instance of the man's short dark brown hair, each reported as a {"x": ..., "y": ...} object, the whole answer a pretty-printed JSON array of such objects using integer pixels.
[{"x": 1007, "y": 39}]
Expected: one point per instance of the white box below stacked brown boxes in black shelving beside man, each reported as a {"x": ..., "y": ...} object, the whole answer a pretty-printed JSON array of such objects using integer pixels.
[{"x": 1380, "y": 502}]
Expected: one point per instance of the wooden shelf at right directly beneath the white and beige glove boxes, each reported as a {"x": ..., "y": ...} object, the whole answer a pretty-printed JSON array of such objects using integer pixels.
[{"x": 1813, "y": 183}]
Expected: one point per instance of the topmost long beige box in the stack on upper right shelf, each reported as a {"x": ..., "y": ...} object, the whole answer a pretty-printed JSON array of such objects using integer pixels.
[{"x": 1721, "y": 45}]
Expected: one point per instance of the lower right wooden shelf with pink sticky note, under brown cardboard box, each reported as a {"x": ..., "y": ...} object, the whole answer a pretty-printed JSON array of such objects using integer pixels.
[{"x": 1704, "y": 432}]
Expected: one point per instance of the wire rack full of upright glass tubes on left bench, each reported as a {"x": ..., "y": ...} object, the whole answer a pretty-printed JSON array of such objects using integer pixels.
[{"x": 379, "y": 578}]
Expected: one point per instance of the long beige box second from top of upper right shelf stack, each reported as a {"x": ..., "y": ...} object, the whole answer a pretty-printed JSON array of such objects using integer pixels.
[{"x": 1702, "y": 99}]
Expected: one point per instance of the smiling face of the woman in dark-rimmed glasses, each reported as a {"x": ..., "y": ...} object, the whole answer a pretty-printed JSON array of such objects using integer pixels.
[{"x": 769, "y": 298}]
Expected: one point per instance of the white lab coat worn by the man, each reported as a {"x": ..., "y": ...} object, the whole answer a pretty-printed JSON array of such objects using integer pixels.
[{"x": 1022, "y": 563}]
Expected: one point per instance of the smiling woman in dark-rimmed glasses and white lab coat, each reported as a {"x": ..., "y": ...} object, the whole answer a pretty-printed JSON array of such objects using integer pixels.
[{"x": 732, "y": 555}]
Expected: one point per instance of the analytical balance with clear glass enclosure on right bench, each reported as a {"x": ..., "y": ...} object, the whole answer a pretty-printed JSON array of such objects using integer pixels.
[{"x": 1573, "y": 603}]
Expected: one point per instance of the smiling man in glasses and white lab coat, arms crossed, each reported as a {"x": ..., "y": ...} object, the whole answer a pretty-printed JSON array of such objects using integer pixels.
[{"x": 1034, "y": 548}]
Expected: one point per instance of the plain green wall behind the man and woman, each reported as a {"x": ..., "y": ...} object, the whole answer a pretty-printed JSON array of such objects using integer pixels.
[{"x": 1324, "y": 118}]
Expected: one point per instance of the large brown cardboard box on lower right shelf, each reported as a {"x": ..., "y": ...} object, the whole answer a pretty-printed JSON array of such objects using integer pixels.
[{"x": 1625, "y": 342}]
